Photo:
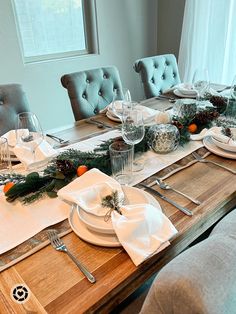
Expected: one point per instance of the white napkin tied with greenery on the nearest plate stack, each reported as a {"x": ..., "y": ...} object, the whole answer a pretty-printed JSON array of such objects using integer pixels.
[{"x": 143, "y": 230}]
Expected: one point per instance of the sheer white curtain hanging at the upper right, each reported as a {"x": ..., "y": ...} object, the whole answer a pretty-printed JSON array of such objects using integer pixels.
[{"x": 209, "y": 40}]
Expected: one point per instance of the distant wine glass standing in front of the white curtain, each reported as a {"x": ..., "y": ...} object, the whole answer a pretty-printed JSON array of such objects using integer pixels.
[{"x": 200, "y": 82}]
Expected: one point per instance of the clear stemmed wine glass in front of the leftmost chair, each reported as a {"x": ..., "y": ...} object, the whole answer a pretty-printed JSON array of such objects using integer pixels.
[{"x": 29, "y": 133}]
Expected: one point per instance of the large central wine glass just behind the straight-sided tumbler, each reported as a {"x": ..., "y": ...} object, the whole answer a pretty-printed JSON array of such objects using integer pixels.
[{"x": 133, "y": 131}]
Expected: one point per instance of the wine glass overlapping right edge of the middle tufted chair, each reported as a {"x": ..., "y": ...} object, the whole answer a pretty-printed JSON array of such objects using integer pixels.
[{"x": 121, "y": 97}]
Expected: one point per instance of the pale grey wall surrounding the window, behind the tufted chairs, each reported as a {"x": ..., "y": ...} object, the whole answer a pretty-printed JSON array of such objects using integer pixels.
[{"x": 127, "y": 31}]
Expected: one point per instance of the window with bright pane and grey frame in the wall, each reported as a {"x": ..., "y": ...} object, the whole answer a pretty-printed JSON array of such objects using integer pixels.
[{"x": 51, "y": 29}]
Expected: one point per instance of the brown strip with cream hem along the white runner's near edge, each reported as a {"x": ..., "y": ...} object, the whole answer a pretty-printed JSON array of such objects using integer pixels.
[{"x": 40, "y": 240}]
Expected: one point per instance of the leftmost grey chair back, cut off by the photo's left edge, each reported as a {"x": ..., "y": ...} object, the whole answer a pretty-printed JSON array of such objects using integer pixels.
[{"x": 12, "y": 102}]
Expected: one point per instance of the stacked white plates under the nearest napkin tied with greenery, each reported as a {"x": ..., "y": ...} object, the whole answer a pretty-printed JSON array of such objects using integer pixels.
[{"x": 98, "y": 230}]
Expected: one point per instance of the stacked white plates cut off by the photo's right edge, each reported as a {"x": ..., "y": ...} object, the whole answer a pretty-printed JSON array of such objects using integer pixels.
[{"x": 220, "y": 148}]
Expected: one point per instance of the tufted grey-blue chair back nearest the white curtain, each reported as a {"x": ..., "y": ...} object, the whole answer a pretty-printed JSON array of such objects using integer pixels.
[{"x": 157, "y": 73}]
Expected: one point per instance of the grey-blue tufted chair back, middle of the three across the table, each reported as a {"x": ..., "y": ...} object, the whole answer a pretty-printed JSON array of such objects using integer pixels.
[{"x": 92, "y": 90}]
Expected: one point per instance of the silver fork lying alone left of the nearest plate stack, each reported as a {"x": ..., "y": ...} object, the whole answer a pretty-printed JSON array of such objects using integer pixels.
[{"x": 59, "y": 245}]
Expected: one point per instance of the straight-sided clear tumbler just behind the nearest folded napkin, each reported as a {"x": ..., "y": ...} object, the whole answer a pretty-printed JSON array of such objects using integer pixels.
[{"x": 121, "y": 155}]
